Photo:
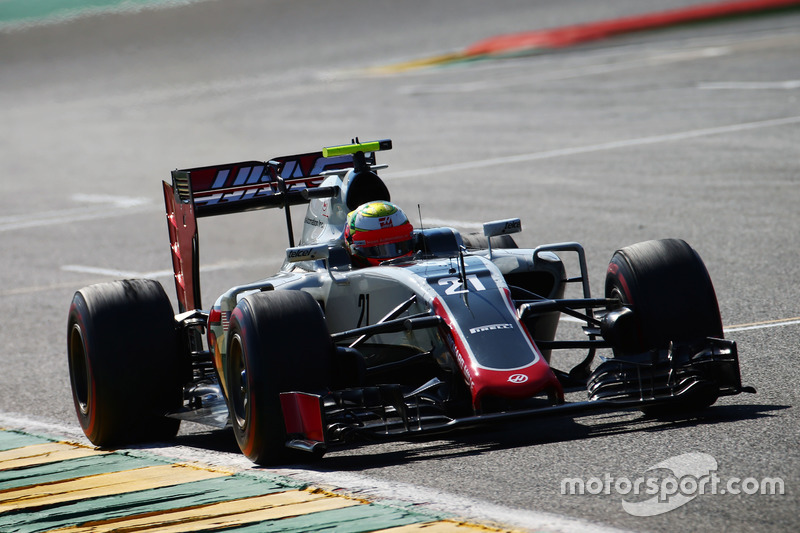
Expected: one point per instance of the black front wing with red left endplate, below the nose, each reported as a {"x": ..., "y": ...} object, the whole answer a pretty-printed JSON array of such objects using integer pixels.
[{"x": 663, "y": 381}]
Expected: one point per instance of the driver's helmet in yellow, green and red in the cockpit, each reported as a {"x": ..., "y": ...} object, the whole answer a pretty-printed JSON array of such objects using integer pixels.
[{"x": 376, "y": 232}]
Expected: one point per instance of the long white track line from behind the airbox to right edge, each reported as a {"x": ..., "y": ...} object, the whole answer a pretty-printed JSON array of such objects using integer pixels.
[{"x": 579, "y": 150}]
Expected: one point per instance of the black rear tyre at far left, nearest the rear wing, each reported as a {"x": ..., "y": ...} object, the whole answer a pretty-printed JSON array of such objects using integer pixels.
[{"x": 124, "y": 366}]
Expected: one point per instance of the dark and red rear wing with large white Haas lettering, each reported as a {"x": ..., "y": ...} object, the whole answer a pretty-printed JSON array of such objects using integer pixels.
[{"x": 246, "y": 186}]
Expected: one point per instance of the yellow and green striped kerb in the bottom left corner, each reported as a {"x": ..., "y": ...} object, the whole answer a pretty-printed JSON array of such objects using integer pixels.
[{"x": 48, "y": 485}]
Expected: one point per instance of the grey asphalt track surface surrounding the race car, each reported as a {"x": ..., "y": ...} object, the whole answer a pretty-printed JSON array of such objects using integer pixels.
[{"x": 689, "y": 132}]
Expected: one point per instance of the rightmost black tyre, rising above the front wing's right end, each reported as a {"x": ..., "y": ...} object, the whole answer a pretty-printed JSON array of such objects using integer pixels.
[{"x": 668, "y": 288}]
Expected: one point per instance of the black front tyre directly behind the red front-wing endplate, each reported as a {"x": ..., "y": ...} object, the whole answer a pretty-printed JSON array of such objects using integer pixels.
[{"x": 278, "y": 342}]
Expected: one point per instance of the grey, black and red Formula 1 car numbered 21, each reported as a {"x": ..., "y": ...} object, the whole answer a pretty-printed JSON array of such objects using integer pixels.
[{"x": 455, "y": 331}]
